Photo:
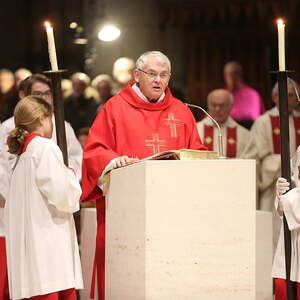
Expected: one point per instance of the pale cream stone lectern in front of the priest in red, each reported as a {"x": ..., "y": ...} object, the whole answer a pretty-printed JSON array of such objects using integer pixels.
[{"x": 181, "y": 230}]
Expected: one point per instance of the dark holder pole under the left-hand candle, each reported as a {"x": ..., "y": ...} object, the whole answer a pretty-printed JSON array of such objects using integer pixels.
[{"x": 58, "y": 104}]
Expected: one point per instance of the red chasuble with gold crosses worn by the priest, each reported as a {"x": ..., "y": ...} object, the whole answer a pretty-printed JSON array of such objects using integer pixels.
[{"x": 127, "y": 125}]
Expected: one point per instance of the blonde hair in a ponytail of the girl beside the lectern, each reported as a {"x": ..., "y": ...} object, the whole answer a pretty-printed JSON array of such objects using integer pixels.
[{"x": 26, "y": 115}]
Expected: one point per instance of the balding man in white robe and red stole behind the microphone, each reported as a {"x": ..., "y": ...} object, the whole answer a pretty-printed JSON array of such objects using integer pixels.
[{"x": 235, "y": 137}]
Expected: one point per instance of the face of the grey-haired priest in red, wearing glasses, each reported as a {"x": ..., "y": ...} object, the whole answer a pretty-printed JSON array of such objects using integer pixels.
[{"x": 153, "y": 79}]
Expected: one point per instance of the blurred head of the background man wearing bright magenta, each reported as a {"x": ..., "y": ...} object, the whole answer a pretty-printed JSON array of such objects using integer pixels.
[{"x": 233, "y": 73}]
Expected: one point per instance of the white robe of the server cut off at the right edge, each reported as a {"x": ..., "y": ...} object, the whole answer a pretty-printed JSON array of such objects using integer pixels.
[{"x": 290, "y": 204}]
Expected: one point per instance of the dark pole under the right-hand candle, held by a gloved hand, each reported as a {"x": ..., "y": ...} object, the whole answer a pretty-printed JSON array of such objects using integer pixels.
[{"x": 285, "y": 172}]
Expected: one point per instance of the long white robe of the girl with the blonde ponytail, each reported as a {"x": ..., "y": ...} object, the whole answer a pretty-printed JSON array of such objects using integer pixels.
[{"x": 42, "y": 250}]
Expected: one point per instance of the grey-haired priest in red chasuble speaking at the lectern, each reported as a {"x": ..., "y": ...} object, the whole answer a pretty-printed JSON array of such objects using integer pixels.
[{"x": 142, "y": 120}]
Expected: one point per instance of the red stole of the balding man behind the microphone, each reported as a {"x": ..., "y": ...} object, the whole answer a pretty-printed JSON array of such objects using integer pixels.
[{"x": 231, "y": 141}]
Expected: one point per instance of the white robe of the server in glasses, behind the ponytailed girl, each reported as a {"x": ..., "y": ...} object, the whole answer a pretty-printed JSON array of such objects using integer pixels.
[{"x": 8, "y": 160}]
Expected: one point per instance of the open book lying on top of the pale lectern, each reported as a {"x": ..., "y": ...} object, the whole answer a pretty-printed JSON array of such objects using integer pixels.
[{"x": 183, "y": 154}]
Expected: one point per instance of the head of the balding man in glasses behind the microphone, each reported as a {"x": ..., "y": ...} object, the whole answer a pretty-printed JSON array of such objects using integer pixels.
[{"x": 219, "y": 104}]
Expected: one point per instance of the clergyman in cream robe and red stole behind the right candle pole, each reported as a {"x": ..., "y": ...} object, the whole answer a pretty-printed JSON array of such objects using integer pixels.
[{"x": 266, "y": 134}]
